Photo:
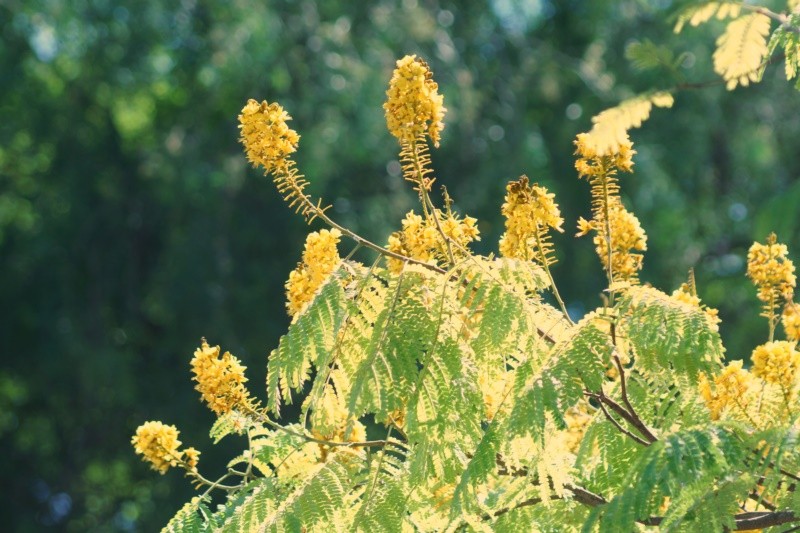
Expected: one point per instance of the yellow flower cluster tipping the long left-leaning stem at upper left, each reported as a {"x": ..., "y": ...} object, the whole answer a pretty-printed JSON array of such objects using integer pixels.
[{"x": 267, "y": 139}]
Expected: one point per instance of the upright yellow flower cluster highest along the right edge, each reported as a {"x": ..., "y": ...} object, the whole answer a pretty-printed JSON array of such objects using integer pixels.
[{"x": 771, "y": 270}]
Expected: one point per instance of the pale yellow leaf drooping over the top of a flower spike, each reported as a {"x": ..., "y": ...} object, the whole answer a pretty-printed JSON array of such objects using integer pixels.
[{"x": 611, "y": 126}]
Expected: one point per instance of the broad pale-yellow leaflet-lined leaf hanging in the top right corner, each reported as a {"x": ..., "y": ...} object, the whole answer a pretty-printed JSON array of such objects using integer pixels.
[{"x": 742, "y": 49}]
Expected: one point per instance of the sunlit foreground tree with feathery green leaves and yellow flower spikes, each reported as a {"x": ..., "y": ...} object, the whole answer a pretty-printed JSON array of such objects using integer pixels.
[{"x": 493, "y": 409}]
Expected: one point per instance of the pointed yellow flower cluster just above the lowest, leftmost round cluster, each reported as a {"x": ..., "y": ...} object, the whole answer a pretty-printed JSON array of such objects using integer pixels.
[{"x": 220, "y": 380}]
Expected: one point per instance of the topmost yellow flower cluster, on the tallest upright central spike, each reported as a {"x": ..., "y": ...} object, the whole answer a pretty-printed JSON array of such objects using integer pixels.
[{"x": 413, "y": 104}]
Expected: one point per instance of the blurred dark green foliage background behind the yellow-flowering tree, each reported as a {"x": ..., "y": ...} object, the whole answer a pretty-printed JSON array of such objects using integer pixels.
[{"x": 131, "y": 225}]
